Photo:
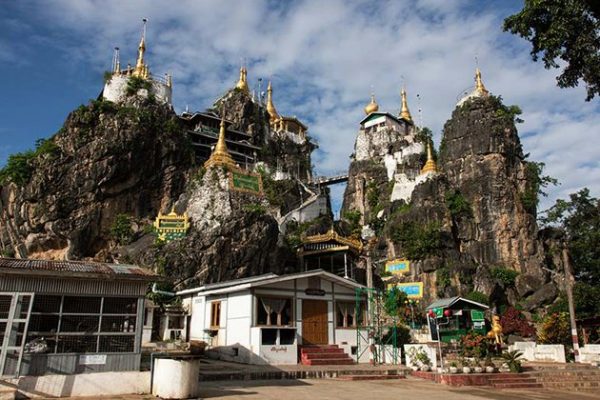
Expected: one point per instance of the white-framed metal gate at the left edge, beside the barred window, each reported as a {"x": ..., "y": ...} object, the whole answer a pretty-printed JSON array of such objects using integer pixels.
[{"x": 15, "y": 309}]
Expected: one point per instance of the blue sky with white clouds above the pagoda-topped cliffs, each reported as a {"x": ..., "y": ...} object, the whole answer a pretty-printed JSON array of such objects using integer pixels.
[{"x": 324, "y": 58}]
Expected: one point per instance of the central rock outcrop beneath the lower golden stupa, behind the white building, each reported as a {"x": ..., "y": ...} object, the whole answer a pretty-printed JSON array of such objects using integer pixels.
[{"x": 232, "y": 236}]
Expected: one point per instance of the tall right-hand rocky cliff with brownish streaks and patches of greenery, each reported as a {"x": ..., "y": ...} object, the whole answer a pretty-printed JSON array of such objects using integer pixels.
[{"x": 472, "y": 226}]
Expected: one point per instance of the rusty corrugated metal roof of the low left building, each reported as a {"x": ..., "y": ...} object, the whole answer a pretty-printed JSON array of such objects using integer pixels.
[{"x": 78, "y": 267}]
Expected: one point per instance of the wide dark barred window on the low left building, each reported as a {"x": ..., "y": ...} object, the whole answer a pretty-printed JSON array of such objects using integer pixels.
[{"x": 86, "y": 324}]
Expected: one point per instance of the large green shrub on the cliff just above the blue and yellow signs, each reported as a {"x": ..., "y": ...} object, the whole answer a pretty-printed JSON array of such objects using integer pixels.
[{"x": 417, "y": 241}]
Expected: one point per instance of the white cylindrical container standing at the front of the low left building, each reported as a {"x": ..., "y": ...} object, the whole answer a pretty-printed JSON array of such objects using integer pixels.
[{"x": 176, "y": 376}]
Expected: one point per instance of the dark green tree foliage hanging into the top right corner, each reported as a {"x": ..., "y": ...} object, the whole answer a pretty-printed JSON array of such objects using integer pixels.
[{"x": 563, "y": 30}]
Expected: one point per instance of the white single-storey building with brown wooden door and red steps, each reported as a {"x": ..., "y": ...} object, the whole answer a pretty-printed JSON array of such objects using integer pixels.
[{"x": 267, "y": 318}]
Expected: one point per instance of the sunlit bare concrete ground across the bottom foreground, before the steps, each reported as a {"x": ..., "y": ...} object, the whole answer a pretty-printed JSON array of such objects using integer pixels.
[{"x": 323, "y": 389}]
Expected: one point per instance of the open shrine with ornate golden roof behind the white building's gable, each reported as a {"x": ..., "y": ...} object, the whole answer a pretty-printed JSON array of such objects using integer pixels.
[{"x": 331, "y": 252}]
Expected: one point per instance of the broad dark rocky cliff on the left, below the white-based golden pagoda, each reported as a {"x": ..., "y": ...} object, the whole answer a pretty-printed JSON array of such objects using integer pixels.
[{"x": 107, "y": 159}]
